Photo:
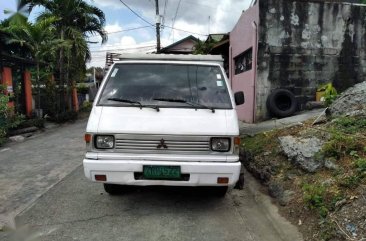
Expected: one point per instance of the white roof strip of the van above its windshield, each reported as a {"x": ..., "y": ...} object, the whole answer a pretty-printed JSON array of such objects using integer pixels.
[{"x": 174, "y": 57}]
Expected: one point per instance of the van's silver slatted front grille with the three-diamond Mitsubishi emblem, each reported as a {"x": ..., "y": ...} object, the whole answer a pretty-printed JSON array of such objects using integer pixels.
[{"x": 162, "y": 144}]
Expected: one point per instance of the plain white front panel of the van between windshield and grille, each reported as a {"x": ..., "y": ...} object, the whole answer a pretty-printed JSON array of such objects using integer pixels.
[{"x": 168, "y": 121}]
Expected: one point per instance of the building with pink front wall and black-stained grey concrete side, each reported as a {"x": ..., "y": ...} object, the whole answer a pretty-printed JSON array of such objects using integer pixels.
[{"x": 295, "y": 45}]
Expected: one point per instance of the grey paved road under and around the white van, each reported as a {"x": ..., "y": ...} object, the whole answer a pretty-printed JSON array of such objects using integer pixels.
[{"x": 72, "y": 208}]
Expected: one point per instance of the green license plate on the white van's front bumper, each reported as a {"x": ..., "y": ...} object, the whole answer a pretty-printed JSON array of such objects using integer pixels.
[{"x": 162, "y": 172}]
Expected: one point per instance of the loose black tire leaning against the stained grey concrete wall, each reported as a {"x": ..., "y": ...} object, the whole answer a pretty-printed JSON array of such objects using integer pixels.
[{"x": 282, "y": 103}]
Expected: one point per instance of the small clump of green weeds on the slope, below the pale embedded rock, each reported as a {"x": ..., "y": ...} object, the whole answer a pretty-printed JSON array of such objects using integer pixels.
[{"x": 314, "y": 198}]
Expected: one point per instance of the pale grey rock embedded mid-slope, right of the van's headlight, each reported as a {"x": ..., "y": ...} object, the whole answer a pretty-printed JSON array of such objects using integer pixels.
[{"x": 301, "y": 151}]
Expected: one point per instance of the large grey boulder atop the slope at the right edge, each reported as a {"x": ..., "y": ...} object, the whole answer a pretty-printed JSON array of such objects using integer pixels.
[{"x": 351, "y": 102}]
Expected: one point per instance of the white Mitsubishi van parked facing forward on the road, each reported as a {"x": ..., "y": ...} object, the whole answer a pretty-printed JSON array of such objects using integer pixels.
[{"x": 164, "y": 120}]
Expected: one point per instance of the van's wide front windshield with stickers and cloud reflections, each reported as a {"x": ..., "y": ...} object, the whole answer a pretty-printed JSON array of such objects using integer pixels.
[{"x": 153, "y": 84}]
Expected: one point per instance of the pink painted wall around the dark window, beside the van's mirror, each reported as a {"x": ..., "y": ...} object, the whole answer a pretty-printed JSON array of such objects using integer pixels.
[{"x": 242, "y": 38}]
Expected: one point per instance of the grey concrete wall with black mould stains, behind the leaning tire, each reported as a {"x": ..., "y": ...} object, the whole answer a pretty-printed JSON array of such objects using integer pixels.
[{"x": 303, "y": 44}]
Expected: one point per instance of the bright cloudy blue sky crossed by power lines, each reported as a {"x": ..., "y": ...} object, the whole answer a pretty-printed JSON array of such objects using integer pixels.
[{"x": 129, "y": 33}]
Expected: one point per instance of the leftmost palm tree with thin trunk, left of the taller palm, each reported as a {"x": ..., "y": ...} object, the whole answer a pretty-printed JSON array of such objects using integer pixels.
[{"x": 39, "y": 38}]
